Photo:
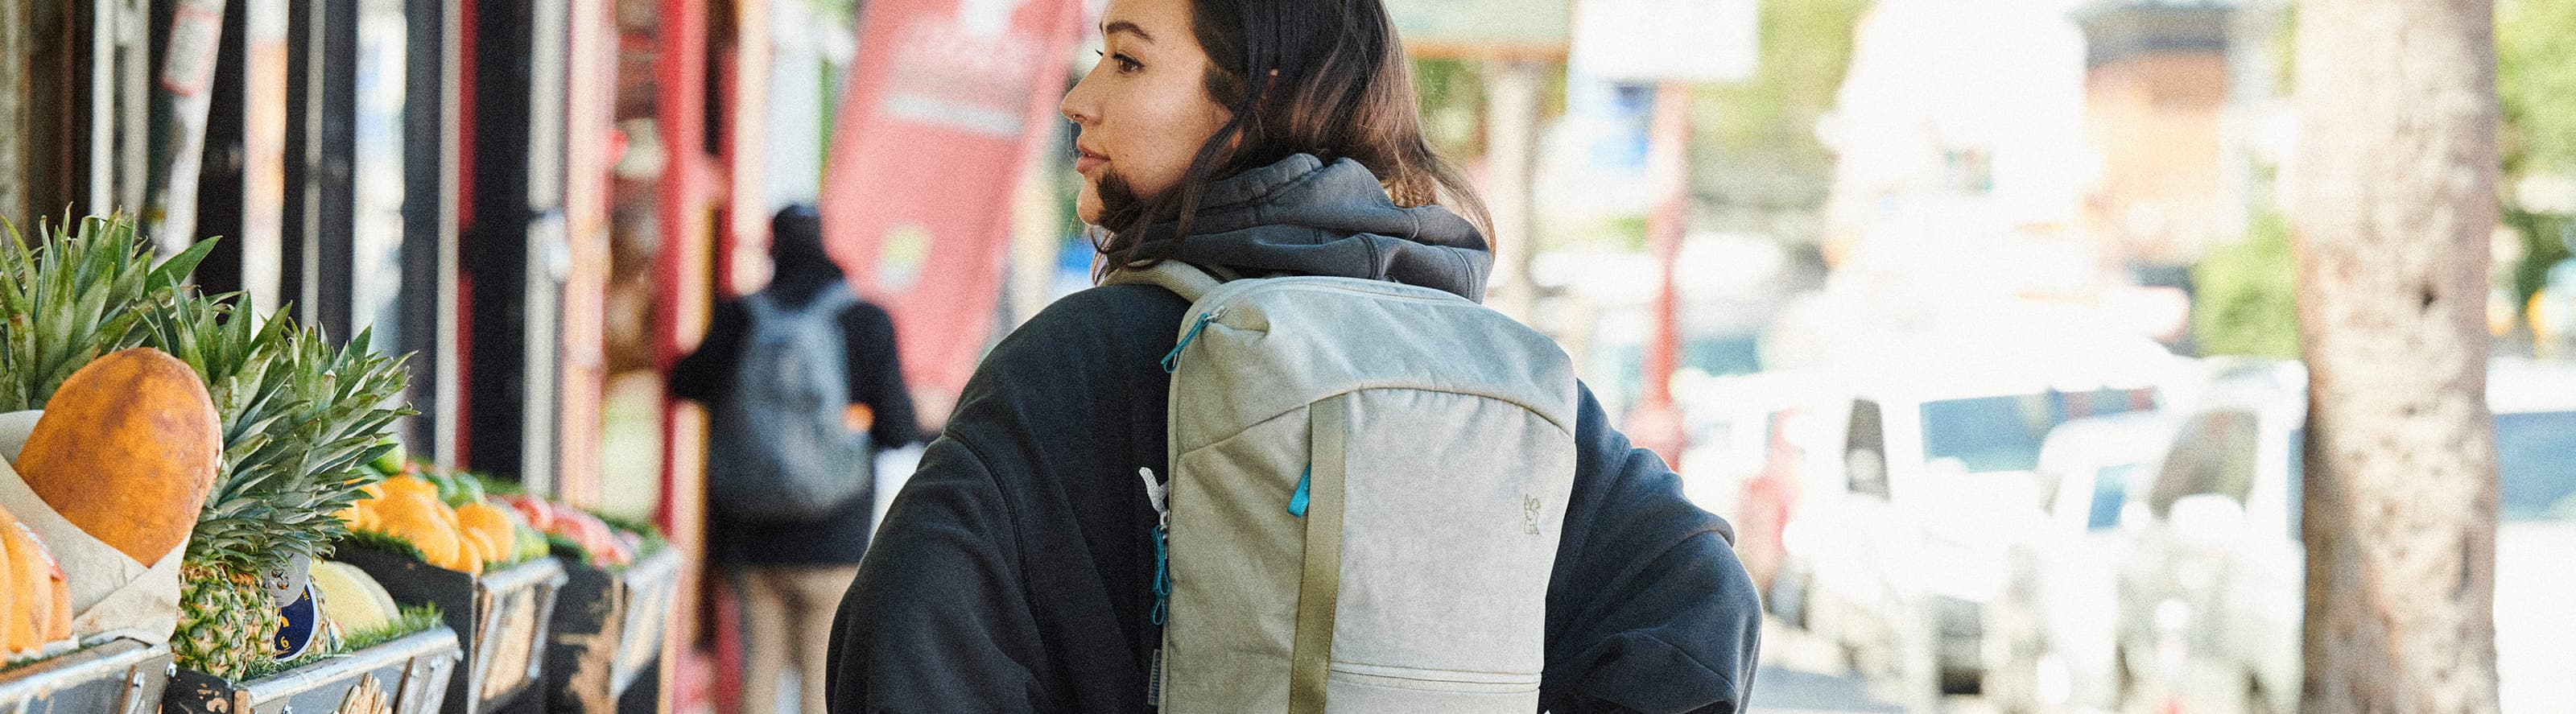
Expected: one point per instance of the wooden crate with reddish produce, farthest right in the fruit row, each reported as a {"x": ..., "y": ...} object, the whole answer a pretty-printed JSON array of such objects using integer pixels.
[{"x": 607, "y": 643}]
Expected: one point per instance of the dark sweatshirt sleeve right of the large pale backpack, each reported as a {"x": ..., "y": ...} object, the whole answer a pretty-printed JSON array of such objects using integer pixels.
[{"x": 1647, "y": 607}]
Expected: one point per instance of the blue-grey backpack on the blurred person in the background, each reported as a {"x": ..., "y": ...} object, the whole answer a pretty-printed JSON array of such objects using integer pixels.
[{"x": 779, "y": 450}]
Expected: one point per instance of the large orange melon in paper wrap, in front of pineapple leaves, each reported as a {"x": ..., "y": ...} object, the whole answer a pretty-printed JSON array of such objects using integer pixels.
[{"x": 128, "y": 452}]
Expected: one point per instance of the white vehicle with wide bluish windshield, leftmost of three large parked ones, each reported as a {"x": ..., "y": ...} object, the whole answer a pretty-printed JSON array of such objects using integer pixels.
[{"x": 1902, "y": 550}]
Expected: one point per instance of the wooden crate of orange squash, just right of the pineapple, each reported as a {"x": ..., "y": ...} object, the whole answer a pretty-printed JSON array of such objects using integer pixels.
[{"x": 501, "y": 622}]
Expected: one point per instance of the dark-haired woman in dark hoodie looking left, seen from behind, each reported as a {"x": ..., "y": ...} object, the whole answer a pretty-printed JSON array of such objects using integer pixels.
[{"x": 1019, "y": 571}]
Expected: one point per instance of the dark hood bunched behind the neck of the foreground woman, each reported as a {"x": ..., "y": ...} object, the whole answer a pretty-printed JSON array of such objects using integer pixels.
[{"x": 1333, "y": 220}]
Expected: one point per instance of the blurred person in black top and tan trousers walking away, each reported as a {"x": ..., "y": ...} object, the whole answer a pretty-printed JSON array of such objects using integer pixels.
[{"x": 805, "y": 388}]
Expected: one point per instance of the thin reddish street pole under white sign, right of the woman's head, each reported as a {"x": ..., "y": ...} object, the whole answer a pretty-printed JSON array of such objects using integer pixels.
[{"x": 1655, "y": 421}]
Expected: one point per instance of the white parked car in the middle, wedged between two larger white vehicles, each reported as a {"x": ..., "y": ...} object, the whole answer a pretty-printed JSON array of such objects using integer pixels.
[{"x": 2057, "y": 622}]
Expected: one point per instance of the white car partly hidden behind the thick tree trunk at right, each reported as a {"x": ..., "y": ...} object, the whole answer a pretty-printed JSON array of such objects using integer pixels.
[{"x": 2211, "y": 604}]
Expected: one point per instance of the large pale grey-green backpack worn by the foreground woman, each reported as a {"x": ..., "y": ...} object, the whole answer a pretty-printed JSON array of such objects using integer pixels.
[{"x": 1367, "y": 488}]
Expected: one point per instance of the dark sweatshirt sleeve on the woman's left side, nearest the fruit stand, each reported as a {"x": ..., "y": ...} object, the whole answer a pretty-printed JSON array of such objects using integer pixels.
[{"x": 936, "y": 620}]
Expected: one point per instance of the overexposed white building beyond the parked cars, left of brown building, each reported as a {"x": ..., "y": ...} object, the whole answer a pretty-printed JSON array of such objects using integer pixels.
[{"x": 1959, "y": 184}]
